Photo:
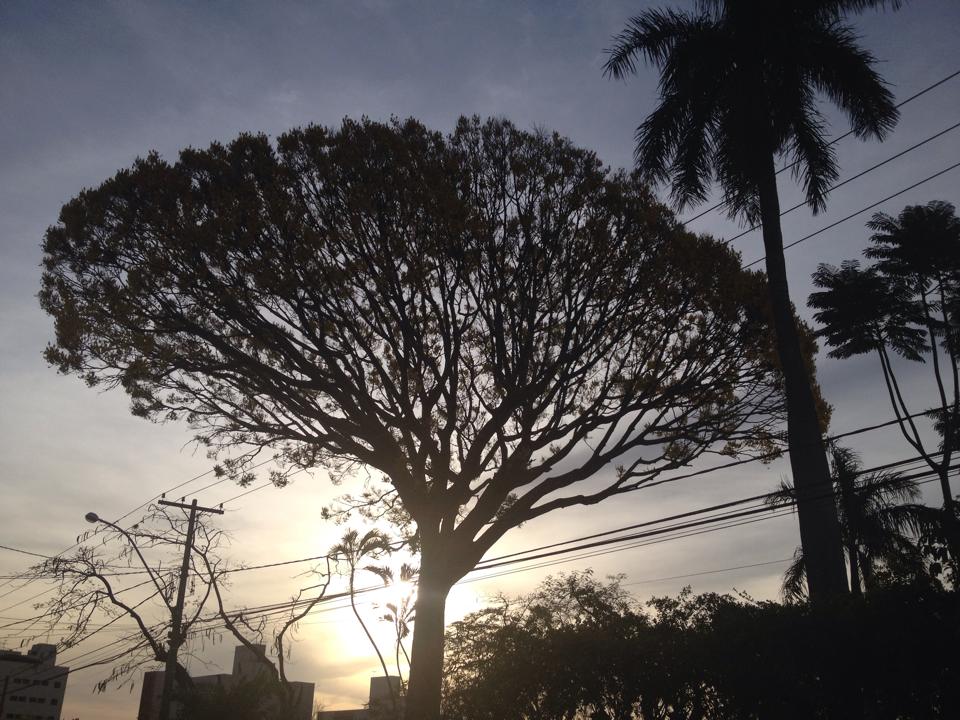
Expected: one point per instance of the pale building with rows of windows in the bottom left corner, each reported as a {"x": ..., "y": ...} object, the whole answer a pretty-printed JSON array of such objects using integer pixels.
[{"x": 32, "y": 684}]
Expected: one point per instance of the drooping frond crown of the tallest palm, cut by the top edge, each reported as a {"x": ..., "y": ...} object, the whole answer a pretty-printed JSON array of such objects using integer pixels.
[{"x": 739, "y": 83}]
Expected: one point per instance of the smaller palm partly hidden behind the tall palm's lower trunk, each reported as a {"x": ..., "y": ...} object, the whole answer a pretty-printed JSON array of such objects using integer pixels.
[{"x": 879, "y": 519}]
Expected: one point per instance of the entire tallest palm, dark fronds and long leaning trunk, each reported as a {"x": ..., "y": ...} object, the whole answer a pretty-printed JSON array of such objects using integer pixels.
[{"x": 738, "y": 88}]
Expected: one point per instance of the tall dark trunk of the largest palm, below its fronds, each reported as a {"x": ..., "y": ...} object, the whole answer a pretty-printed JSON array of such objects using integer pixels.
[{"x": 816, "y": 510}]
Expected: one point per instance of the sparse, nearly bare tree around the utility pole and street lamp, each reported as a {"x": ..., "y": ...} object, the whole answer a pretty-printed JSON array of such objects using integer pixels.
[{"x": 93, "y": 585}]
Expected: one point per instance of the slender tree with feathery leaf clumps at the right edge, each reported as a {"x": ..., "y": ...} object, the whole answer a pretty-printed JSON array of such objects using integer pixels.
[{"x": 907, "y": 305}]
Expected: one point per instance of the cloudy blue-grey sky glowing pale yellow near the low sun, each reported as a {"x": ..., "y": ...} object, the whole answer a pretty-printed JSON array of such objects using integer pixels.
[{"x": 87, "y": 87}]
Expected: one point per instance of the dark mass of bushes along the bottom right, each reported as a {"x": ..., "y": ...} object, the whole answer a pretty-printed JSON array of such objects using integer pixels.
[{"x": 580, "y": 649}]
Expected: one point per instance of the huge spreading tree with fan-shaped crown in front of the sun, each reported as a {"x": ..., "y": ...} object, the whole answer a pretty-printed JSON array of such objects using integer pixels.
[{"x": 490, "y": 319}]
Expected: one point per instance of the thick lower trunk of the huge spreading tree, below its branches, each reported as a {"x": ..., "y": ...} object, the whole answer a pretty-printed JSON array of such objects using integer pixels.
[{"x": 426, "y": 661}]
